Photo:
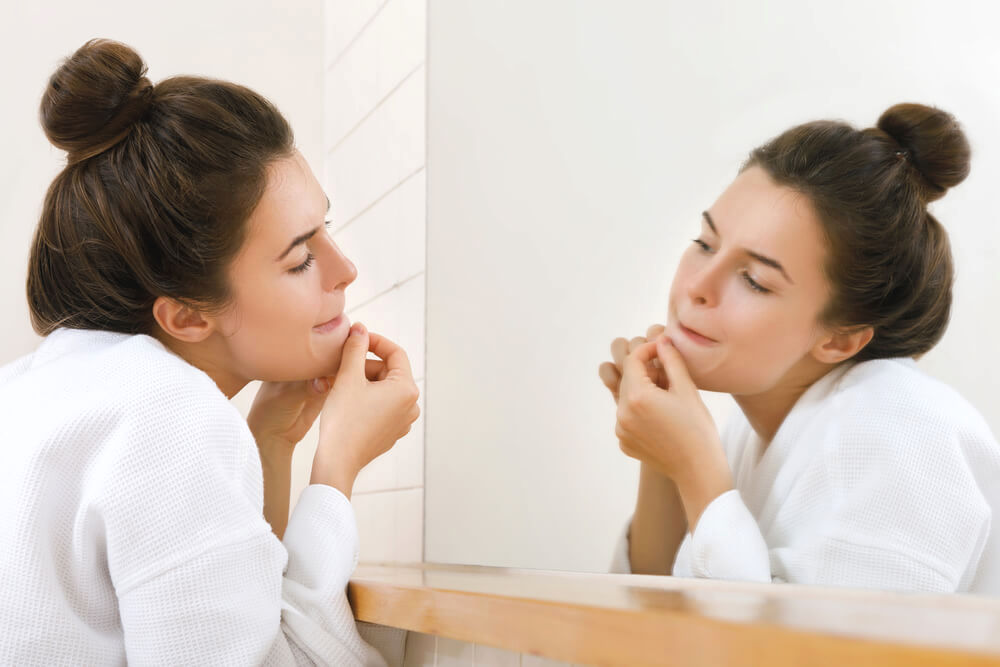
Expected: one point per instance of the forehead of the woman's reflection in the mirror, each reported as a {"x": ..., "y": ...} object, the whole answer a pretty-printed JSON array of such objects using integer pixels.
[{"x": 759, "y": 215}]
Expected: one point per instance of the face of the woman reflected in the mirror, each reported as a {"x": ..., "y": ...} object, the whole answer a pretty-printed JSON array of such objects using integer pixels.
[{"x": 747, "y": 295}]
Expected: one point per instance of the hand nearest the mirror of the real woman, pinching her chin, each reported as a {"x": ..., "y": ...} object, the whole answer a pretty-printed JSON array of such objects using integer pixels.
[{"x": 372, "y": 404}]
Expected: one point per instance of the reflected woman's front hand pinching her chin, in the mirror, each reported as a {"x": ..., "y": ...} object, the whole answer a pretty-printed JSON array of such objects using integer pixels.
[{"x": 671, "y": 429}]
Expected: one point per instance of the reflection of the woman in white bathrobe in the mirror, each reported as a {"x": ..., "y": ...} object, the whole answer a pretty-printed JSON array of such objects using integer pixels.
[{"x": 818, "y": 277}]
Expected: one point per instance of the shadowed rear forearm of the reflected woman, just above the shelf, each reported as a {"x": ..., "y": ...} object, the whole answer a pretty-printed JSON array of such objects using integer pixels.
[{"x": 658, "y": 526}]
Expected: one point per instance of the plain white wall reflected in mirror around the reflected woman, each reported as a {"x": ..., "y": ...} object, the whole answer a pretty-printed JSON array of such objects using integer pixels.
[{"x": 572, "y": 145}]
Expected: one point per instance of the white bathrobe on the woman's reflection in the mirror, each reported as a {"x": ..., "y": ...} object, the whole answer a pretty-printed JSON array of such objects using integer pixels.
[{"x": 880, "y": 477}]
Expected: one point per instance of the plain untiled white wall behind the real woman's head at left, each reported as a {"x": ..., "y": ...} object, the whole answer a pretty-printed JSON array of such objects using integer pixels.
[{"x": 272, "y": 47}]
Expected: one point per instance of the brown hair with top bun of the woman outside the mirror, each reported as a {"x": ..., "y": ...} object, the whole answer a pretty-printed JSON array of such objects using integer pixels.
[{"x": 159, "y": 183}]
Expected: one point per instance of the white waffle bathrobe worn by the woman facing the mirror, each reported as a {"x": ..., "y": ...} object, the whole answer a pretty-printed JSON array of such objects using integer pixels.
[{"x": 132, "y": 528}]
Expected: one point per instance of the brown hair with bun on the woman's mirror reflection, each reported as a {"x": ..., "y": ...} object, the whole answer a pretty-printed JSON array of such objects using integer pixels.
[{"x": 889, "y": 261}]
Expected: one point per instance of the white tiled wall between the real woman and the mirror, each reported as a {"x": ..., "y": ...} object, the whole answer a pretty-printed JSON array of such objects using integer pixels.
[{"x": 374, "y": 172}]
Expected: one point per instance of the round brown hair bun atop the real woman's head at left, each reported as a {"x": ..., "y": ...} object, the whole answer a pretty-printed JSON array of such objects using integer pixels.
[{"x": 93, "y": 99}]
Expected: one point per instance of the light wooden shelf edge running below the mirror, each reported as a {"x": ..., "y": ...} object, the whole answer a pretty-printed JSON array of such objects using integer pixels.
[{"x": 655, "y": 632}]
